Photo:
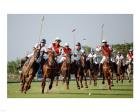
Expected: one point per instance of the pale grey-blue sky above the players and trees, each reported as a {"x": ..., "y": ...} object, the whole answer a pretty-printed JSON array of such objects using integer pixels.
[{"x": 23, "y": 30}]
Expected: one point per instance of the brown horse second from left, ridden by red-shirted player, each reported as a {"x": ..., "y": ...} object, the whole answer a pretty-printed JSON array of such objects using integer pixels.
[{"x": 49, "y": 70}]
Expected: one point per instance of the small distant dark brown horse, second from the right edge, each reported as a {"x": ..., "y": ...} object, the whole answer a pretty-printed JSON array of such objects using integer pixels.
[{"x": 120, "y": 71}]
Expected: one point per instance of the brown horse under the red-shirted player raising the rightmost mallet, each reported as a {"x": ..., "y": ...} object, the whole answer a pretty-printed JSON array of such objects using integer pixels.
[{"x": 107, "y": 73}]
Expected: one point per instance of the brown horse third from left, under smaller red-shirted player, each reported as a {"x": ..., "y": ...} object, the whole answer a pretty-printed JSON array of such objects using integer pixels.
[{"x": 65, "y": 70}]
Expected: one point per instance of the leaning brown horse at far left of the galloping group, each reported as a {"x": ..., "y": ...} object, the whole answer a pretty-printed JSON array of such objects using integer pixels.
[{"x": 28, "y": 72}]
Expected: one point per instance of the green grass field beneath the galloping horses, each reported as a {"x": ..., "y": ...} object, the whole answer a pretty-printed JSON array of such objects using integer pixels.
[{"x": 119, "y": 90}]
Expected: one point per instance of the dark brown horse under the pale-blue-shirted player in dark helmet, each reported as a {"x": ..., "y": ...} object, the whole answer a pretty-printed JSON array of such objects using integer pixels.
[{"x": 81, "y": 71}]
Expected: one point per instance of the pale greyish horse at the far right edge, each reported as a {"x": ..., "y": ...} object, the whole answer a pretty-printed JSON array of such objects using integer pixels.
[{"x": 129, "y": 71}]
